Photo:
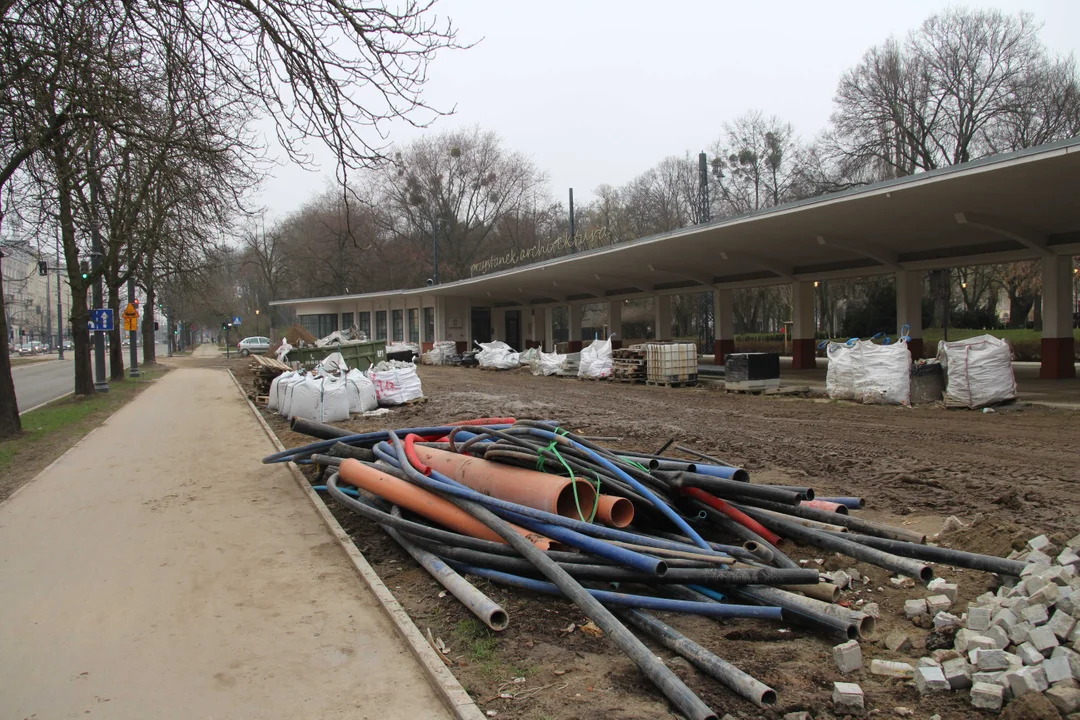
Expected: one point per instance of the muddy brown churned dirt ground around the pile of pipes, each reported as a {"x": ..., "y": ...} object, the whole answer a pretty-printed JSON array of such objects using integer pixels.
[{"x": 1008, "y": 476}]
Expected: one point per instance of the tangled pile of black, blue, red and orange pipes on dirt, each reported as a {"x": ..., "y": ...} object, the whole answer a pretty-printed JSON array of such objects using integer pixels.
[{"x": 526, "y": 505}]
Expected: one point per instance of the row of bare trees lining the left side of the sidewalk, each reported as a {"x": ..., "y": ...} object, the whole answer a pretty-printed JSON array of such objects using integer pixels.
[{"x": 128, "y": 126}]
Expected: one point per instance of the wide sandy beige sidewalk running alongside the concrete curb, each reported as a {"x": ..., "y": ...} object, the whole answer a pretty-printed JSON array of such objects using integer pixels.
[{"x": 158, "y": 570}]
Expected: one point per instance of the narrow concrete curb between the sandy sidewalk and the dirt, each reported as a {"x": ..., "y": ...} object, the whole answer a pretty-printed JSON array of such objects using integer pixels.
[{"x": 451, "y": 691}]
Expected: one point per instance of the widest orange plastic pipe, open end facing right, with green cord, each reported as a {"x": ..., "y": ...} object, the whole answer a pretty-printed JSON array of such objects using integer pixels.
[{"x": 525, "y": 487}]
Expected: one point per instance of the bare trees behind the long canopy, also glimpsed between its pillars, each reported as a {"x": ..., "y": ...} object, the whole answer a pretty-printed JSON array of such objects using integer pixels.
[{"x": 964, "y": 85}]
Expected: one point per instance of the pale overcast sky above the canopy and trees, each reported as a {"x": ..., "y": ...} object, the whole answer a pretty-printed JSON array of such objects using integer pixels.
[{"x": 600, "y": 91}]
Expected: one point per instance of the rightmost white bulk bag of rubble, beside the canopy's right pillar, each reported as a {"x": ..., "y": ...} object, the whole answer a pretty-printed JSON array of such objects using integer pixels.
[{"x": 978, "y": 372}]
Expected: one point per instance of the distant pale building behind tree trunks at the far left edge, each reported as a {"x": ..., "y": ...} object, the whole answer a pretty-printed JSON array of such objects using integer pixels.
[{"x": 30, "y": 298}]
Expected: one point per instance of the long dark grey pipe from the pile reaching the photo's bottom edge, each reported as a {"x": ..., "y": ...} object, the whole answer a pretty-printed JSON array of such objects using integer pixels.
[{"x": 653, "y": 668}]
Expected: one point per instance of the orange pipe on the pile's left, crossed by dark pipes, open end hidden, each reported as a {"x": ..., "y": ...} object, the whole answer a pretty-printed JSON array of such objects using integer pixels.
[{"x": 425, "y": 504}]
